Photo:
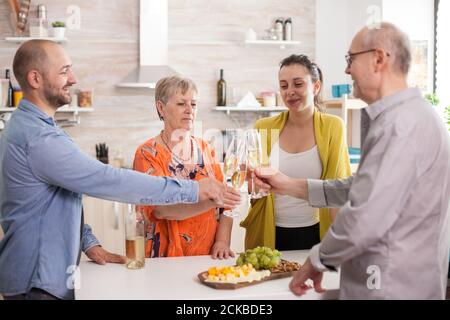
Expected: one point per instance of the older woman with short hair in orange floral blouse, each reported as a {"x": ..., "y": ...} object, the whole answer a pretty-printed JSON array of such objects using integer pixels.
[{"x": 181, "y": 230}]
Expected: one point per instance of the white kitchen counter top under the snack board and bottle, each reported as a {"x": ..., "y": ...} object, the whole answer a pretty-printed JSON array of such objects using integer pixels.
[{"x": 176, "y": 279}]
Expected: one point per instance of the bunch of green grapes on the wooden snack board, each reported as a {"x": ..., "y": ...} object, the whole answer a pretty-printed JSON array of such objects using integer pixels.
[{"x": 260, "y": 257}]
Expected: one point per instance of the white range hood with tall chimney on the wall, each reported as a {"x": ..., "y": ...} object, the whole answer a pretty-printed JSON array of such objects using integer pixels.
[{"x": 153, "y": 46}]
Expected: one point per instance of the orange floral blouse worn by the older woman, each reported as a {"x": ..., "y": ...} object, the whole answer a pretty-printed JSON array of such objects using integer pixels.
[{"x": 189, "y": 237}]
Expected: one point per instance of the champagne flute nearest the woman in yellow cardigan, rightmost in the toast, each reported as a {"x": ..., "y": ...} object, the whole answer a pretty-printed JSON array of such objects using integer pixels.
[{"x": 254, "y": 158}]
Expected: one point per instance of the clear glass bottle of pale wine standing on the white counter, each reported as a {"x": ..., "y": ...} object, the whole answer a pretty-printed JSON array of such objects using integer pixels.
[{"x": 135, "y": 237}]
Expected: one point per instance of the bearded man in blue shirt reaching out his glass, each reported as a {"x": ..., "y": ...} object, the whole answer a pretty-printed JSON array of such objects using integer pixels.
[{"x": 43, "y": 175}]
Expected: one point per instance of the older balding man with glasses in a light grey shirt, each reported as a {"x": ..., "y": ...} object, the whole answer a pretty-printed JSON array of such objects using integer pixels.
[{"x": 391, "y": 235}]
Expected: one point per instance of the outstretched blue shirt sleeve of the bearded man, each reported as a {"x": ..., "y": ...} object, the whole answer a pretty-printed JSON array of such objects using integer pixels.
[{"x": 56, "y": 160}]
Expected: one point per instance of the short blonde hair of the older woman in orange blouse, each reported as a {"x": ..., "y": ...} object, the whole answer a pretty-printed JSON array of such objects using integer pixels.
[{"x": 167, "y": 87}]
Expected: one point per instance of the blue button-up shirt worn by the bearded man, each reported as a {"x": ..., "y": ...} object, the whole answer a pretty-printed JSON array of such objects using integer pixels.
[{"x": 43, "y": 175}]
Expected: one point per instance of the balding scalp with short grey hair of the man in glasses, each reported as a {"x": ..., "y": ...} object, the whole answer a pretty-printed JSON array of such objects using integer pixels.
[{"x": 390, "y": 38}]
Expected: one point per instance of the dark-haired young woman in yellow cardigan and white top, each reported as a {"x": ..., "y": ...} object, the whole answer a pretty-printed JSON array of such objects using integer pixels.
[{"x": 303, "y": 142}]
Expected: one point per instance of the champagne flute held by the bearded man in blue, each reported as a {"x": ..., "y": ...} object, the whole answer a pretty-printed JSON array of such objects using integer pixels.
[{"x": 235, "y": 167}]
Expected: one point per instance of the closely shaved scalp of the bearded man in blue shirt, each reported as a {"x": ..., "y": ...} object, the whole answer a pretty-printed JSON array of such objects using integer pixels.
[{"x": 32, "y": 55}]
